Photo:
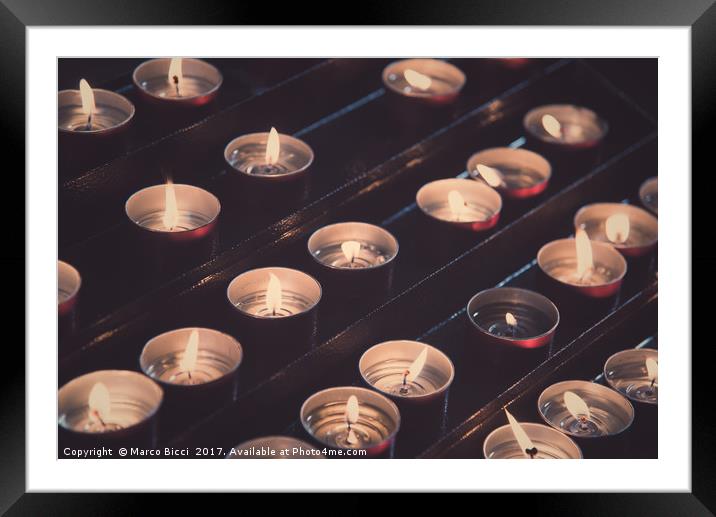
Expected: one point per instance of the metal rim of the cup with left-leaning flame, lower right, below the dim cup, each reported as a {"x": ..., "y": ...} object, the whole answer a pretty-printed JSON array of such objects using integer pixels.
[{"x": 554, "y": 394}]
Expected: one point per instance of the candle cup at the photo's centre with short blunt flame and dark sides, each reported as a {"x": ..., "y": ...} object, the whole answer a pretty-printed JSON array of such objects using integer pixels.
[{"x": 354, "y": 258}]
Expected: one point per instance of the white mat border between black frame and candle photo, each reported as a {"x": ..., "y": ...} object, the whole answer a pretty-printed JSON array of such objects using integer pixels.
[{"x": 670, "y": 472}]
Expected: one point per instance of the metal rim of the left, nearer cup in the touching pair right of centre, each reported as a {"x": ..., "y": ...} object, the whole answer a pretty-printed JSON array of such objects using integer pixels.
[{"x": 472, "y": 191}]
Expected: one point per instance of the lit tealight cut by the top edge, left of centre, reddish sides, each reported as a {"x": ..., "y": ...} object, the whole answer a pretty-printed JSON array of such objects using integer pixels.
[{"x": 177, "y": 81}]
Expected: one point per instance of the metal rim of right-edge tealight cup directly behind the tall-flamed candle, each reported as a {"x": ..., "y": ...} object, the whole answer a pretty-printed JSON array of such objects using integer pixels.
[{"x": 637, "y": 217}]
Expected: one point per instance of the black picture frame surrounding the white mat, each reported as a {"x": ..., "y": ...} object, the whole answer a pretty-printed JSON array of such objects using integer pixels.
[{"x": 17, "y": 15}]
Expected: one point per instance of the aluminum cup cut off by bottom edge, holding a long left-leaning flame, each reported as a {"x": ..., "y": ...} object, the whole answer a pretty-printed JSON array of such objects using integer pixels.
[{"x": 501, "y": 444}]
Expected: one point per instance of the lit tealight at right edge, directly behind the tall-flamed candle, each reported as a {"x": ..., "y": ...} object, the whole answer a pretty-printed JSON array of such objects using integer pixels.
[{"x": 630, "y": 229}]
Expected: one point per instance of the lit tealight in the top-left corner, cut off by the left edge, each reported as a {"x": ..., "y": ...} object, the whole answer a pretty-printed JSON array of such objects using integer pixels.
[{"x": 89, "y": 111}]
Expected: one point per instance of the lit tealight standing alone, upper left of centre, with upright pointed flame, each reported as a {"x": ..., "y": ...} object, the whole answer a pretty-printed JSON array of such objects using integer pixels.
[{"x": 269, "y": 157}]
